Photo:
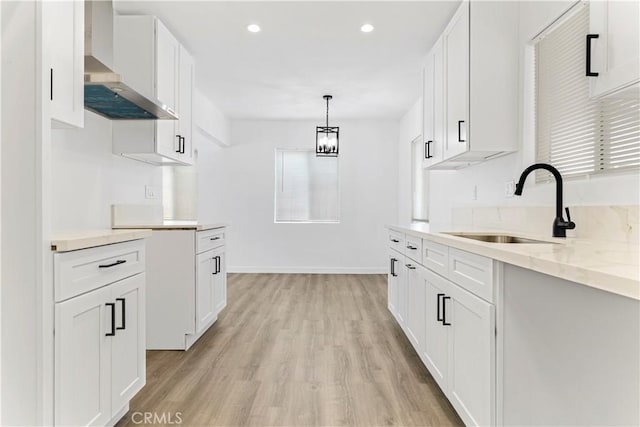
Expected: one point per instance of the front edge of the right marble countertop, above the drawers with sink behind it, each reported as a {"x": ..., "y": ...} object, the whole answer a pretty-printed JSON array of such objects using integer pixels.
[{"x": 593, "y": 278}]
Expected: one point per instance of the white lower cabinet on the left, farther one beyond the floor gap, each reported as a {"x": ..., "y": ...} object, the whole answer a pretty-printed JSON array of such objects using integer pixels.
[{"x": 187, "y": 286}]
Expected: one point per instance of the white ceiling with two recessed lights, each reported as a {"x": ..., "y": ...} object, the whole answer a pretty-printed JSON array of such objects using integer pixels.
[{"x": 305, "y": 50}]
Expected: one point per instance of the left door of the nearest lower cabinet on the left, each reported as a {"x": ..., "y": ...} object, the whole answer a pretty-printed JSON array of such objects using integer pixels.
[{"x": 83, "y": 359}]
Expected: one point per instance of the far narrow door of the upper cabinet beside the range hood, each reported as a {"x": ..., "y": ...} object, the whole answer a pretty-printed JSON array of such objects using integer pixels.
[{"x": 187, "y": 84}]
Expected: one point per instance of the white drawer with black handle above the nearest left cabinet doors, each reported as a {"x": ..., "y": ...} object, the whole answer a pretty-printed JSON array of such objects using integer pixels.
[{"x": 77, "y": 272}]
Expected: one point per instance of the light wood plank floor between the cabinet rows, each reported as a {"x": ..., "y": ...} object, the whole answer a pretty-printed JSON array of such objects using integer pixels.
[{"x": 297, "y": 350}]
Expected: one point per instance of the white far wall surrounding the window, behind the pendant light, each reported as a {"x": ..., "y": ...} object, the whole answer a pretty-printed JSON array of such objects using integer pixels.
[{"x": 240, "y": 187}]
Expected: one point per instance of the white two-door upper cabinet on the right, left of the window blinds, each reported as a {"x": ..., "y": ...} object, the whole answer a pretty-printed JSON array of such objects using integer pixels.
[{"x": 471, "y": 111}]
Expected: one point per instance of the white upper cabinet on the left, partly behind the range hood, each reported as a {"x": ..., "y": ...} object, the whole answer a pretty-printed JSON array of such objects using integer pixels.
[{"x": 152, "y": 61}]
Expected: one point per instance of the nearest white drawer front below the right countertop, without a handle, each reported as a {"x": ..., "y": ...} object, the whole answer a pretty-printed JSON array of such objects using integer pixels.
[{"x": 472, "y": 272}]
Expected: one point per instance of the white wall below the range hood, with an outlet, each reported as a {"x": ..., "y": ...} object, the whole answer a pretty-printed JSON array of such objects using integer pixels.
[{"x": 88, "y": 178}]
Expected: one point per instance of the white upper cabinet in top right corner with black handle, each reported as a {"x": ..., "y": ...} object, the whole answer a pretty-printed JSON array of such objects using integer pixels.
[{"x": 614, "y": 47}]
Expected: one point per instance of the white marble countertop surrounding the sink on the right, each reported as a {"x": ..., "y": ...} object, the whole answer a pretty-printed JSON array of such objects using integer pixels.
[{"x": 609, "y": 266}]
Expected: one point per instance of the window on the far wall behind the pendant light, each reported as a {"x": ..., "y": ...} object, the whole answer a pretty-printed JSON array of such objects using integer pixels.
[{"x": 306, "y": 187}]
